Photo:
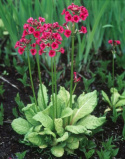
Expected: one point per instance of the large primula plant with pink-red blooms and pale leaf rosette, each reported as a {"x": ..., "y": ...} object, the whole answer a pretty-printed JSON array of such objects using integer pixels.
[{"x": 61, "y": 120}]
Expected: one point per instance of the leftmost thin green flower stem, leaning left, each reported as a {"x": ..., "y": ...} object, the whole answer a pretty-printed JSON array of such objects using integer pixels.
[{"x": 31, "y": 80}]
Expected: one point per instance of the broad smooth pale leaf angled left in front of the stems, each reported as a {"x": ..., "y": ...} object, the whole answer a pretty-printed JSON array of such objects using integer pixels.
[{"x": 45, "y": 120}]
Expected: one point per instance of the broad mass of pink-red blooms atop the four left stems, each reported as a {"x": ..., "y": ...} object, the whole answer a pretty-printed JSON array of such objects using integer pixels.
[{"x": 39, "y": 34}]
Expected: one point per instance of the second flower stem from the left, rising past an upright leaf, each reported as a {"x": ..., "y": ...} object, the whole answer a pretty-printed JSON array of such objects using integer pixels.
[{"x": 39, "y": 74}]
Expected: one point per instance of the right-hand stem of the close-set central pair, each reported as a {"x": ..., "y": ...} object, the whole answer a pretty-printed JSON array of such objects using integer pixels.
[{"x": 55, "y": 81}]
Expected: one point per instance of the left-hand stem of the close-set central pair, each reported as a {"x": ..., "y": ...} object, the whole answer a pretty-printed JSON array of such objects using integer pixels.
[{"x": 54, "y": 111}]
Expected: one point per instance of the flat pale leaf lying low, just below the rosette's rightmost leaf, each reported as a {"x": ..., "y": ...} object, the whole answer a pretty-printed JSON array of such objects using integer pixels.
[{"x": 77, "y": 129}]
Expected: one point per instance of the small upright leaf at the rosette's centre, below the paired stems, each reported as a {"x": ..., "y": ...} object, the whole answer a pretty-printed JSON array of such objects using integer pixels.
[{"x": 59, "y": 126}]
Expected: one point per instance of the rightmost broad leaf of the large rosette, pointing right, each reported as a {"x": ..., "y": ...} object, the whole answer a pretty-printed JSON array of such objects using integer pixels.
[{"x": 91, "y": 122}]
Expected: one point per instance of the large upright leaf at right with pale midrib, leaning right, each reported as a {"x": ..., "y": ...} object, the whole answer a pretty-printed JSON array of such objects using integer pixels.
[{"x": 86, "y": 107}]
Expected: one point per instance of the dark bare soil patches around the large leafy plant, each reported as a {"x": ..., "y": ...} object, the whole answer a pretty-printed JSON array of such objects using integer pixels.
[{"x": 10, "y": 141}]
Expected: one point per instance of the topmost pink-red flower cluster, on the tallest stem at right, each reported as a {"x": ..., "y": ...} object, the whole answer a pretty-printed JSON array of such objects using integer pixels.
[{"x": 78, "y": 13}]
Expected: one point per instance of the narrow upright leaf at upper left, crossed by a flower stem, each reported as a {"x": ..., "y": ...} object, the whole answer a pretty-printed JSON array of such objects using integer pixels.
[{"x": 40, "y": 97}]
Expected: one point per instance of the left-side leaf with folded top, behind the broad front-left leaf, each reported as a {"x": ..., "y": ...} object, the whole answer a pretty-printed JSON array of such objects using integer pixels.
[{"x": 29, "y": 112}]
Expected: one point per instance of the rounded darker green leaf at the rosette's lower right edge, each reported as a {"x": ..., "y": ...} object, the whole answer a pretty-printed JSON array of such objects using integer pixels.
[{"x": 72, "y": 143}]
